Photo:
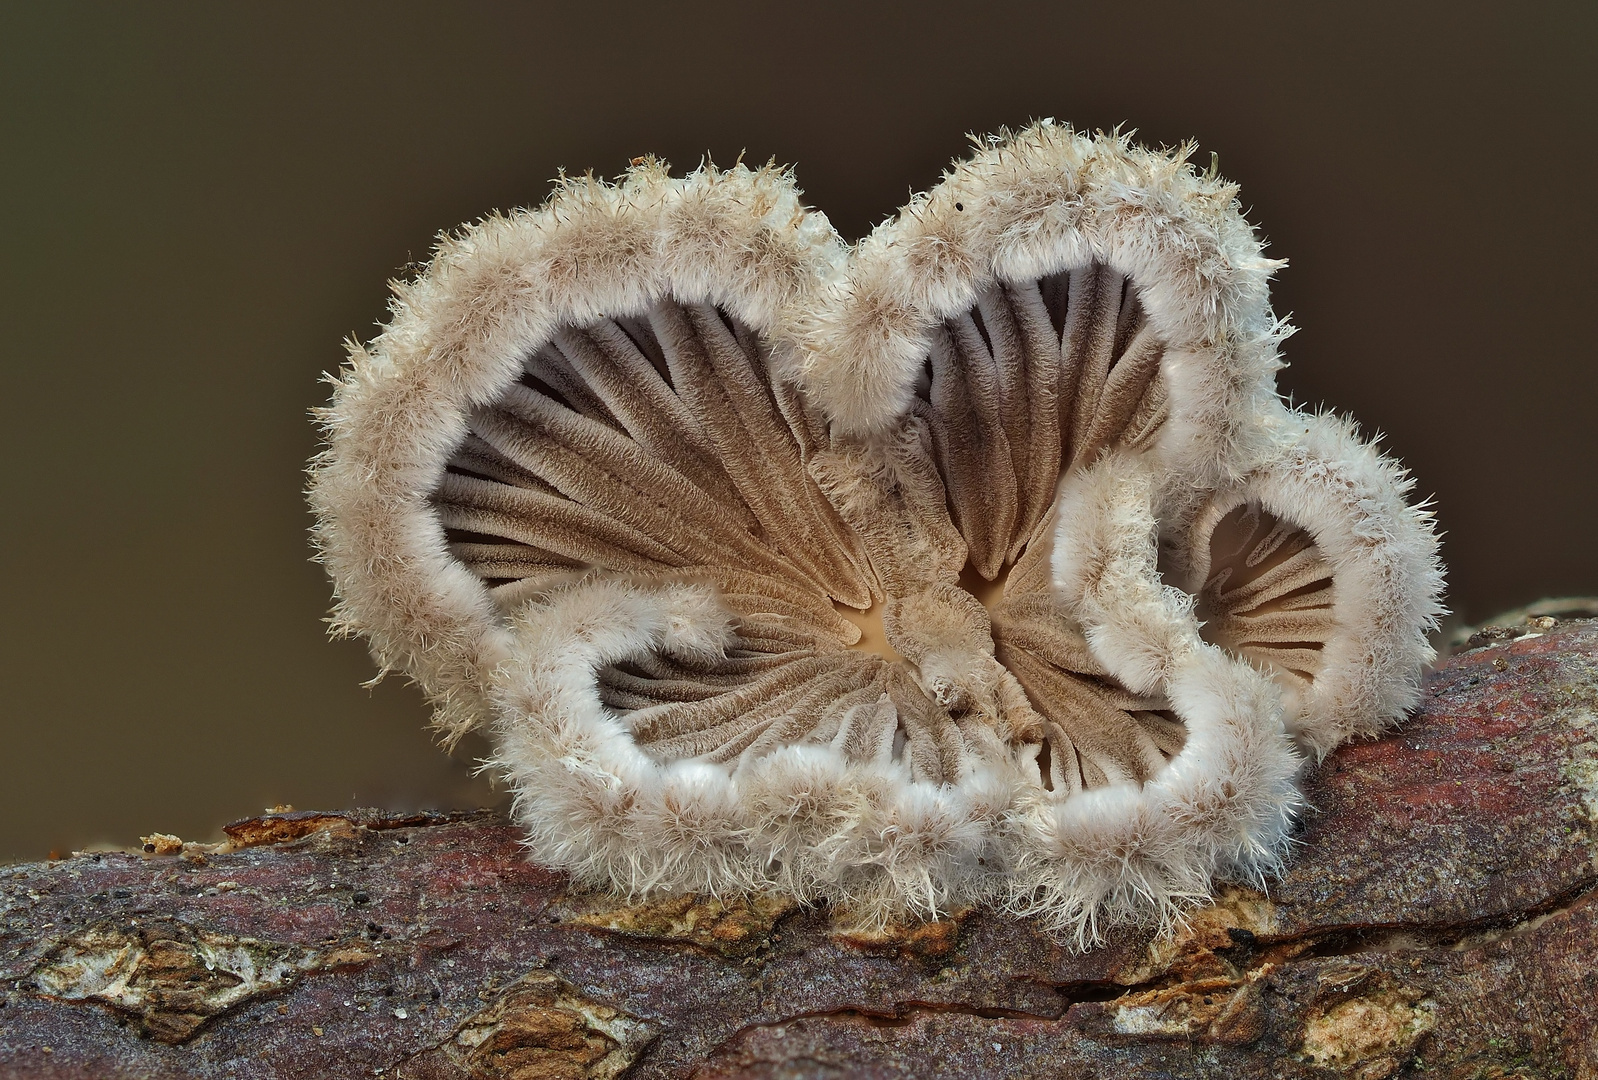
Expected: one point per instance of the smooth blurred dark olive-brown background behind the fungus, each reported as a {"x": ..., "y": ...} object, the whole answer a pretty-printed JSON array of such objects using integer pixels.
[{"x": 201, "y": 202}]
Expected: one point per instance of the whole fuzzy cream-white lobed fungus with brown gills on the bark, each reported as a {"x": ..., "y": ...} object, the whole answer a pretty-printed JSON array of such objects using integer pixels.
[{"x": 974, "y": 563}]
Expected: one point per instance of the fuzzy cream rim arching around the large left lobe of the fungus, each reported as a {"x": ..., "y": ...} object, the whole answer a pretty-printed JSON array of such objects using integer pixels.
[{"x": 458, "y": 336}]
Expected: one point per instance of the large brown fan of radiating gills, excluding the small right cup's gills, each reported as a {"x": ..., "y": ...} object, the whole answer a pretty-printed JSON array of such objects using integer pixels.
[{"x": 666, "y": 448}]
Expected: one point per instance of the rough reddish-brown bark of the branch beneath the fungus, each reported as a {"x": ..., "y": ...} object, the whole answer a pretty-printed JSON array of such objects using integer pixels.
[{"x": 1439, "y": 923}]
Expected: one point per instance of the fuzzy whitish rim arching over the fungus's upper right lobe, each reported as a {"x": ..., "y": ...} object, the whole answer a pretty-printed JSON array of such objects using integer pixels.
[{"x": 1043, "y": 202}]
